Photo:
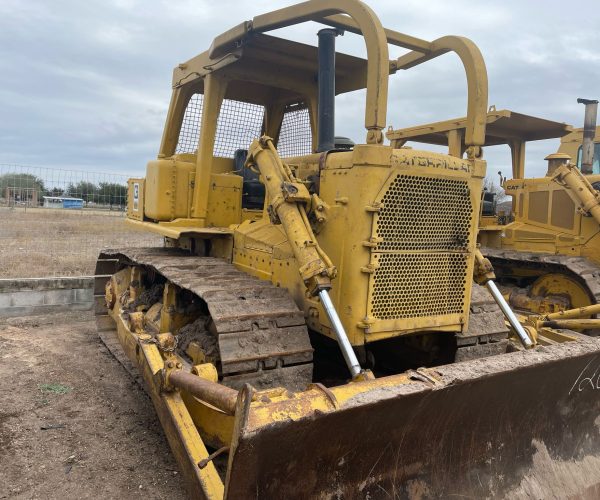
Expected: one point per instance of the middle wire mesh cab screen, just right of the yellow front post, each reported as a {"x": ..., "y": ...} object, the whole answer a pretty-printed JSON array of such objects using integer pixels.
[{"x": 238, "y": 124}]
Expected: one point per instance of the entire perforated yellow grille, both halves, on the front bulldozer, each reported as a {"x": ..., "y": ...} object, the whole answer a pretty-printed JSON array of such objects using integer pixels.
[{"x": 423, "y": 258}]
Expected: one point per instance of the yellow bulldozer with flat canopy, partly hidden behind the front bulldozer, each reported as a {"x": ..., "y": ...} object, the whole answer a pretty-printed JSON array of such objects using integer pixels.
[{"x": 546, "y": 250}]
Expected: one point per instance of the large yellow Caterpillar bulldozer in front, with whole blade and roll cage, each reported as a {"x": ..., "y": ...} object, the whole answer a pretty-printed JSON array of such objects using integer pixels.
[{"x": 320, "y": 322}]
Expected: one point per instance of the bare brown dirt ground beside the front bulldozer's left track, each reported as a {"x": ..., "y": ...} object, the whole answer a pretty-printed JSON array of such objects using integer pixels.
[{"x": 73, "y": 424}]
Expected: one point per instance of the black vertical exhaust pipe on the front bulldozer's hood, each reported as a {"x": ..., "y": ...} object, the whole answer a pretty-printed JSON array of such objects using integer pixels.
[{"x": 326, "y": 82}]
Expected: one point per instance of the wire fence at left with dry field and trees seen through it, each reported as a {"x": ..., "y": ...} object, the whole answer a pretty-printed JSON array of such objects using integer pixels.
[{"x": 54, "y": 222}]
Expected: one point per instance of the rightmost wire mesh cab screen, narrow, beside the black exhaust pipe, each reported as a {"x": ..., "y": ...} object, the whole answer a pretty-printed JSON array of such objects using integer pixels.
[{"x": 295, "y": 138}]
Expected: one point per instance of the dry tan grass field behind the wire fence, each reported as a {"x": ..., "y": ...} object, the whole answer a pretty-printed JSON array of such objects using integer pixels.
[{"x": 39, "y": 242}]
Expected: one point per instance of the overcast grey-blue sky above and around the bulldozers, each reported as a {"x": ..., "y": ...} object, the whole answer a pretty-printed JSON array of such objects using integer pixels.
[{"x": 85, "y": 85}]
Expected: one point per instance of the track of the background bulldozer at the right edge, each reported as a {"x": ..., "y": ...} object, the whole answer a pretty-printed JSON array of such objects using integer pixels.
[{"x": 585, "y": 270}]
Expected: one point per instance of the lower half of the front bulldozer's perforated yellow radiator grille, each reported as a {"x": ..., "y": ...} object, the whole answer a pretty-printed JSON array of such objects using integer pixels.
[{"x": 416, "y": 285}]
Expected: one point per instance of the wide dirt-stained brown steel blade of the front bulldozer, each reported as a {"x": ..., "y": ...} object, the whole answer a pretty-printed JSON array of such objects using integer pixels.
[{"x": 519, "y": 425}]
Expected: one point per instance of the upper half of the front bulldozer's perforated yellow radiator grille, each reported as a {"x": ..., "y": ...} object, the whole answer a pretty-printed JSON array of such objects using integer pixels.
[{"x": 424, "y": 213}]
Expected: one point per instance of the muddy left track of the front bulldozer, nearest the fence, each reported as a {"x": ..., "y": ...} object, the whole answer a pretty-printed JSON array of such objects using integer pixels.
[{"x": 261, "y": 334}]
